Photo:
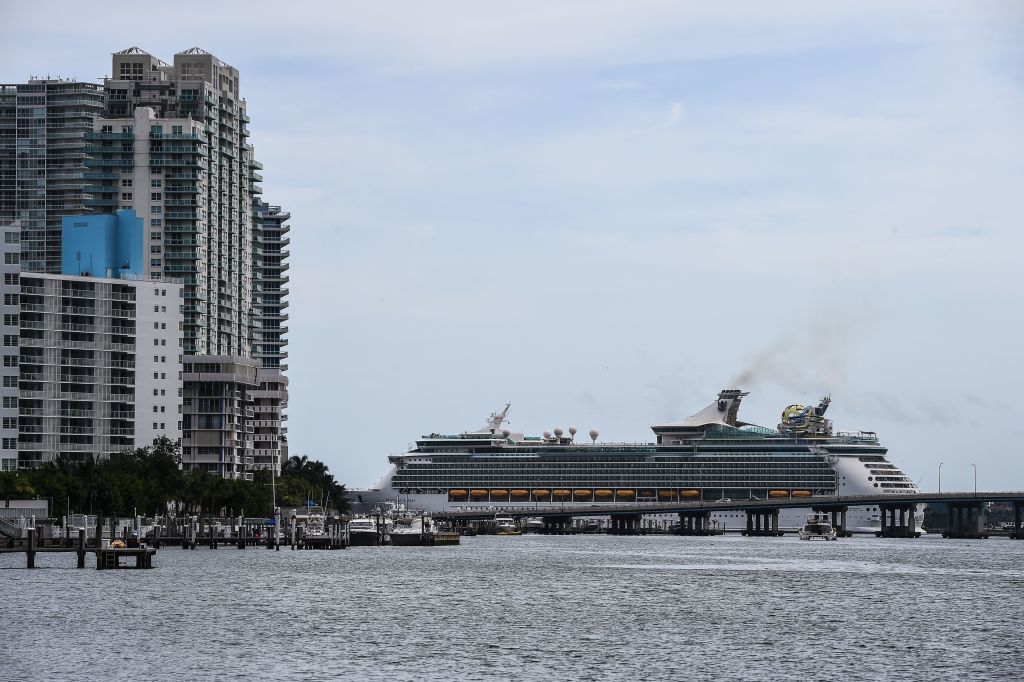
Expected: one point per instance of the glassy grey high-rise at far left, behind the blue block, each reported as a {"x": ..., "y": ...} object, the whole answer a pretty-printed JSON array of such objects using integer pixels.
[{"x": 42, "y": 154}]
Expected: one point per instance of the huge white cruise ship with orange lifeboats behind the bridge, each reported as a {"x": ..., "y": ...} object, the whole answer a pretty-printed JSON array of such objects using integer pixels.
[{"x": 709, "y": 456}]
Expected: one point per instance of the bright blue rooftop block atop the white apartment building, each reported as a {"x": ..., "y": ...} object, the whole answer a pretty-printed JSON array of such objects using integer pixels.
[{"x": 102, "y": 246}]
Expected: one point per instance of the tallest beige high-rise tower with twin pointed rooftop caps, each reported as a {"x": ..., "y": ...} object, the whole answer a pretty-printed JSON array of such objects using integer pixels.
[{"x": 173, "y": 145}]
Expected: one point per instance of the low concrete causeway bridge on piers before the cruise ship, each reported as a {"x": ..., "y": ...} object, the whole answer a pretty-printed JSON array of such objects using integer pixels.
[{"x": 897, "y": 510}]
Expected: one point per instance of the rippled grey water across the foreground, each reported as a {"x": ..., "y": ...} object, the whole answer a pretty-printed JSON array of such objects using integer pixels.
[{"x": 590, "y": 608}]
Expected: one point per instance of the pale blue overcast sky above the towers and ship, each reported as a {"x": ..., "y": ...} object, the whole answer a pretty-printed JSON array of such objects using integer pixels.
[{"x": 606, "y": 212}]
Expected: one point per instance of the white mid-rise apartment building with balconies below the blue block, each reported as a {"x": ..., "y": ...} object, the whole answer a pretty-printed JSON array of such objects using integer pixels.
[{"x": 100, "y": 366}]
